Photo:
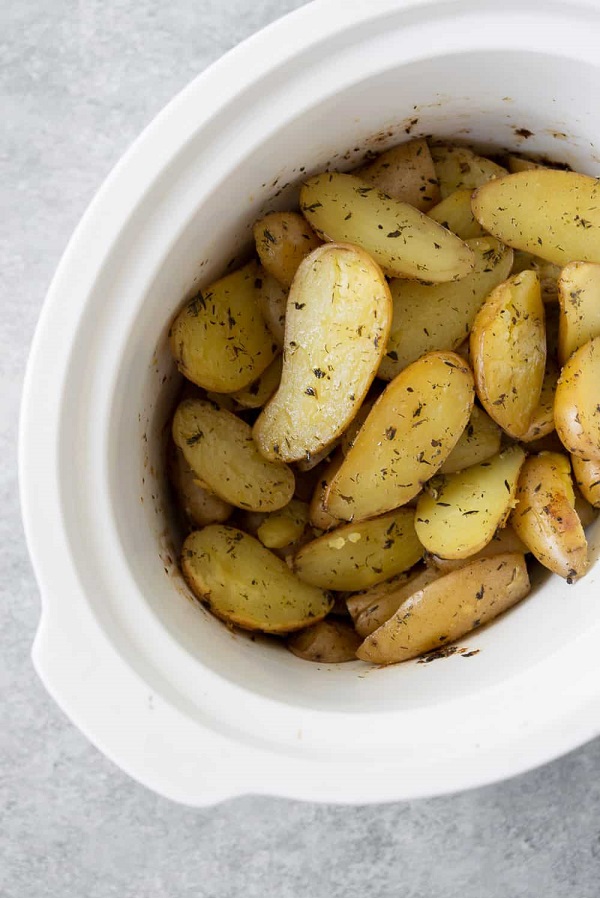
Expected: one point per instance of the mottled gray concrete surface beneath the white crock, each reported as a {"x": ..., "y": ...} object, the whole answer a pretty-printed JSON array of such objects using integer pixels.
[{"x": 79, "y": 81}]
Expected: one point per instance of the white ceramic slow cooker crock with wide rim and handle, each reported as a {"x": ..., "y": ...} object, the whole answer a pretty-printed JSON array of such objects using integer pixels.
[{"x": 166, "y": 691}]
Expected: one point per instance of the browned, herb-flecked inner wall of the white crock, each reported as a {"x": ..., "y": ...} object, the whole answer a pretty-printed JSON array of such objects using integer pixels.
[{"x": 483, "y": 99}]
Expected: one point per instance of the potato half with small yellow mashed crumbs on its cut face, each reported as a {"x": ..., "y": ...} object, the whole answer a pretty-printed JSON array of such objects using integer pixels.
[{"x": 355, "y": 556}]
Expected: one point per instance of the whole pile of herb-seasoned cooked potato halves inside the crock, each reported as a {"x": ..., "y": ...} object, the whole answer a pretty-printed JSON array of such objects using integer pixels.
[{"x": 393, "y": 404}]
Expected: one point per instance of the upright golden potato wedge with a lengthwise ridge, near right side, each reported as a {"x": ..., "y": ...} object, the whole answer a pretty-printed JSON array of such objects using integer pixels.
[{"x": 508, "y": 348}]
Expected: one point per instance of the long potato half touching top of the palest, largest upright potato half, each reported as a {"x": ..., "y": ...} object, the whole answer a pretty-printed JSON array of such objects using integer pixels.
[{"x": 404, "y": 241}]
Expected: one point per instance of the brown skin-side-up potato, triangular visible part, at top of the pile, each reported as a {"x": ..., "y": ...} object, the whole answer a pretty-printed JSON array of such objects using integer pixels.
[{"x": 405, "y": 172}]
